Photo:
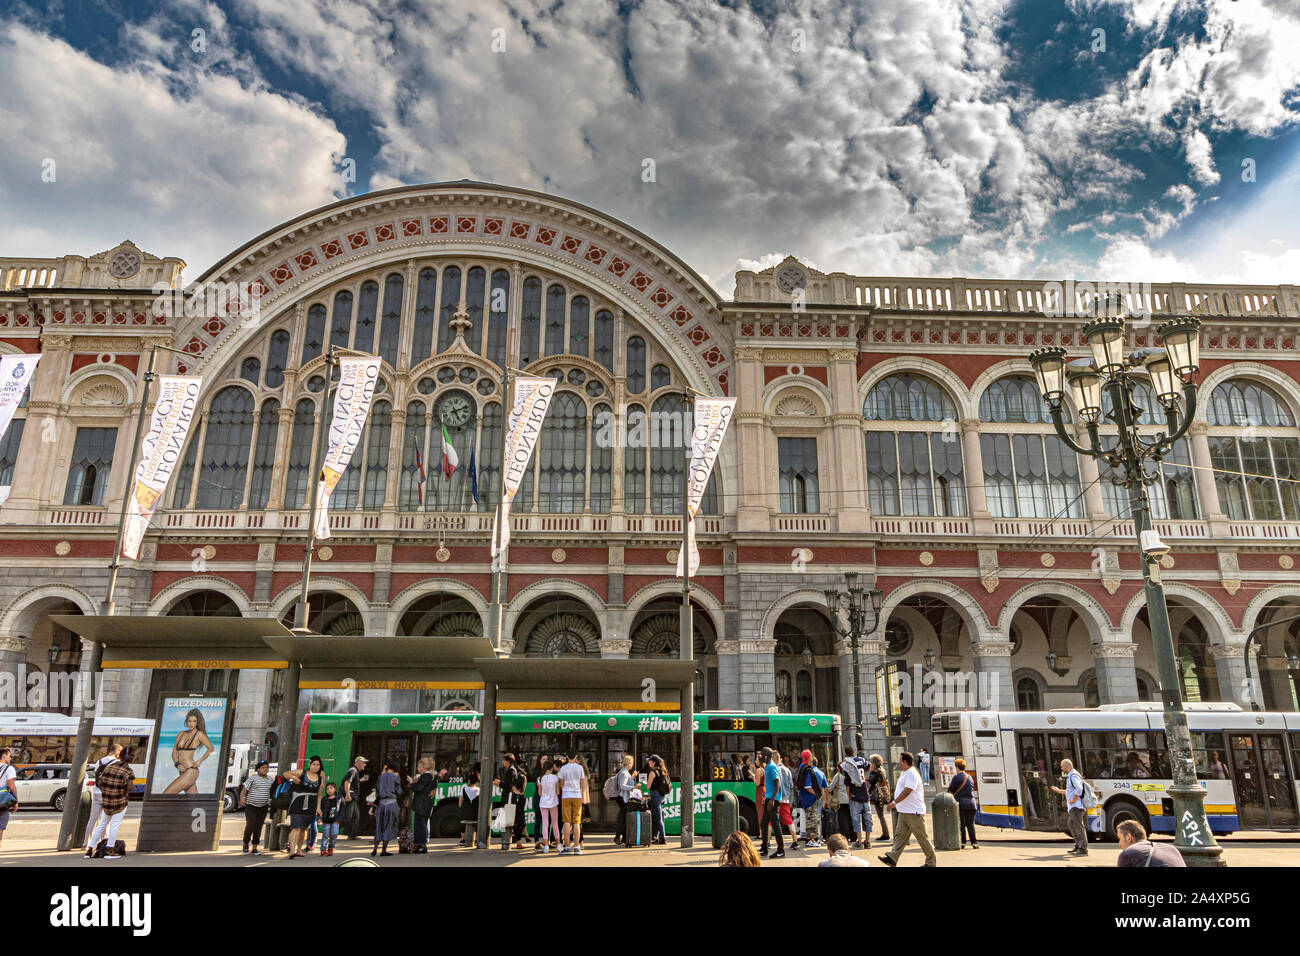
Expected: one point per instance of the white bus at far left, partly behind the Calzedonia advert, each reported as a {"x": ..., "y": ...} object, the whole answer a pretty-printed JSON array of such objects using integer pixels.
[{"x": 38, "y": 738}]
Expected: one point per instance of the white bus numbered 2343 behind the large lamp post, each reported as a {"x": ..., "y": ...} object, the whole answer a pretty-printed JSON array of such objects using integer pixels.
[{"x": 1249, "y": 764}]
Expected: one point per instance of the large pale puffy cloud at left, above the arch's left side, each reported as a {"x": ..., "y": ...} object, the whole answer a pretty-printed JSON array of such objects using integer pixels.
[{"x": 183, "y": 162}]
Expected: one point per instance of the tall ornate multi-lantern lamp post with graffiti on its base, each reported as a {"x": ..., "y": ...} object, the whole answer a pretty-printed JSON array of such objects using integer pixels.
[{"x": 1173, "y": 378}]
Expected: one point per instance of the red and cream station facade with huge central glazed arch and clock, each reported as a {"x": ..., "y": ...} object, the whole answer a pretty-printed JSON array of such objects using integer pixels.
[{"x": 886, "y": 426}]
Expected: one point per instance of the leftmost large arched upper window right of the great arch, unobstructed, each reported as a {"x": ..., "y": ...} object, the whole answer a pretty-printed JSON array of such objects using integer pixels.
[{"x": 916, "y": 471}]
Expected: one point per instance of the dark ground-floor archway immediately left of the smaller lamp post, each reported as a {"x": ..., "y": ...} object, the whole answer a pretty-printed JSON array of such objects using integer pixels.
[{"x": 807, "y": 671}]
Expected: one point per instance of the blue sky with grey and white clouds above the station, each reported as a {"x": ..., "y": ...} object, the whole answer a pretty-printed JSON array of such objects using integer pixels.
[{"x": 1124, "y": 140}]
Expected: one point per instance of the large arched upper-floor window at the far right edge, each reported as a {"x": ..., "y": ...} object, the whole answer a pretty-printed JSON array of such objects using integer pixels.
[{"x": 1255, "y": 452}]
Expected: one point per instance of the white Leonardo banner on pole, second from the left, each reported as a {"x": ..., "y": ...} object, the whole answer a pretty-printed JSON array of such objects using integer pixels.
[{"x": 161, "y": 453}]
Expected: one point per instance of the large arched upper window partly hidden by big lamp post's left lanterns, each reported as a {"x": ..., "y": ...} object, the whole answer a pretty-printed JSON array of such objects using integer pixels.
[{"x": 1026, "y": 474}]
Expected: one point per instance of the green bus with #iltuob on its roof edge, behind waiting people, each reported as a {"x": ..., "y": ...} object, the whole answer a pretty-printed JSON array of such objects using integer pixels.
[{"x": 726, "y": 743}]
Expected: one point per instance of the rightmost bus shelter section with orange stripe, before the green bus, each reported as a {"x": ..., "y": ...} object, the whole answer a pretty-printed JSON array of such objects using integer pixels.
[{"x": 570, "y": 684}]
